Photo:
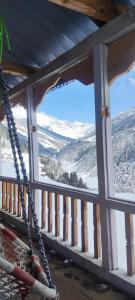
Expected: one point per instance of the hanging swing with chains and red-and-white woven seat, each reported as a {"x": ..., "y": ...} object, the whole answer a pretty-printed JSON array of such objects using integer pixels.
[{"x": 20, "y": 269}]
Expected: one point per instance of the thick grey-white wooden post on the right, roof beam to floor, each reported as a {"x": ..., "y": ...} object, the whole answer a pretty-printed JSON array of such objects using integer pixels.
[{"x": 104, "y": 158}]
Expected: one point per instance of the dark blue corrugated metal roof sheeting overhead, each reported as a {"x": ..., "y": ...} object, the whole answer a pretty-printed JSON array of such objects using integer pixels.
[{"x": 41, "y": 31}]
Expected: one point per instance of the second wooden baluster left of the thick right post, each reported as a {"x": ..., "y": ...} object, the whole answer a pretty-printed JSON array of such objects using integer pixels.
[{"x": 84, "y": 225}]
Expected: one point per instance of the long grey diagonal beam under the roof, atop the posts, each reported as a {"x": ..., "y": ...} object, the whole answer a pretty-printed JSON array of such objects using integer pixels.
[{"x": 108, "y": 33}]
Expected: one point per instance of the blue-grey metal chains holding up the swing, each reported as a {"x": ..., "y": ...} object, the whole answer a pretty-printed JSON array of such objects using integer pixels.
[{"x": 15, "y": 145}]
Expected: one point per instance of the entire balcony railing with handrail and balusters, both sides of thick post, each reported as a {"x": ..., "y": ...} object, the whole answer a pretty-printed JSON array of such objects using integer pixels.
[{"x": 65, "y": 217}]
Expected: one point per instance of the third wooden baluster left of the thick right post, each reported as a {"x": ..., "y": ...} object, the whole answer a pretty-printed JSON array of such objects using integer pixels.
[{"x": 74, "y": 224}]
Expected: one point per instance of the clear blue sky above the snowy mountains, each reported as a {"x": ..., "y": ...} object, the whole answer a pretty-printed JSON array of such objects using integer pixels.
[{"x": 75, "y": 101}]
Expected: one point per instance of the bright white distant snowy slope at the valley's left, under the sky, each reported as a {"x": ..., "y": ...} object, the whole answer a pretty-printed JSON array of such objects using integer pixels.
[{"x": 53, "y": 134}]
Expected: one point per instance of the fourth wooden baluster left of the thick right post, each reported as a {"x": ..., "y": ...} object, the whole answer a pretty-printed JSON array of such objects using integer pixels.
[{"x": 65, "y": 218}]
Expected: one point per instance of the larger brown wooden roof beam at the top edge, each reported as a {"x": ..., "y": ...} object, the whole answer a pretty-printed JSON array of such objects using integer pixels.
[{"x": 102, "y": 10}]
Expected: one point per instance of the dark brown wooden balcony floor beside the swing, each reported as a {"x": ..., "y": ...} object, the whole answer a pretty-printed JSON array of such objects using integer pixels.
[{"x": 74, "y": 283}]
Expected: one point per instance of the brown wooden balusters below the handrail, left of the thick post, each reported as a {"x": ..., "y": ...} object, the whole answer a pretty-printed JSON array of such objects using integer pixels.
[{"x": 58, "y": 211}]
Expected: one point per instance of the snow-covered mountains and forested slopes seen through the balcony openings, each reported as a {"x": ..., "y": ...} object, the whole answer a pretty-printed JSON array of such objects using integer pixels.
[{"x": 71, "y": 146}]
